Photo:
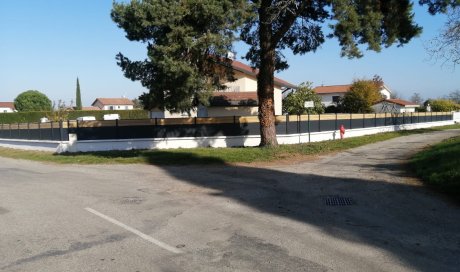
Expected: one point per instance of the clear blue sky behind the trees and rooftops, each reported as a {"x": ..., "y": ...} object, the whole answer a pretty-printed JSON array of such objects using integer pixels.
[{"x": 46, "y": 44}]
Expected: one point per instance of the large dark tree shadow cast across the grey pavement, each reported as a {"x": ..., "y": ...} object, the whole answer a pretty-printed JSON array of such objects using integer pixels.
[{"x": 406, "y": 221}]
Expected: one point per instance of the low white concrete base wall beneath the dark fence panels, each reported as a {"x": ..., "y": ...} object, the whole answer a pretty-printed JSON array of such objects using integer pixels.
[{"x": 73, "y": 145}]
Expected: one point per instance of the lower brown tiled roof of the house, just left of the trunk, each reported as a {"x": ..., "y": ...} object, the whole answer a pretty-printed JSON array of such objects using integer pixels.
[{"x": 234, "y": 99}]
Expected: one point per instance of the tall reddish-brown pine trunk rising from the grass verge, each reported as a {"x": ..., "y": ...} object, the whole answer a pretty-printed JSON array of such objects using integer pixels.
[{"x": 265, "y": 82}]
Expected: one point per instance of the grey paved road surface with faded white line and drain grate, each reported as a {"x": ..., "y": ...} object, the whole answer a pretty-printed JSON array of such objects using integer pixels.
[{"x": 229, "y": 218}]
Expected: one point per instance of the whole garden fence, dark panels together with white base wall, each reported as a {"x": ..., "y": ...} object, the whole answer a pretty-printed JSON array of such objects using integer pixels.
[{"x": 83, "y": 136}]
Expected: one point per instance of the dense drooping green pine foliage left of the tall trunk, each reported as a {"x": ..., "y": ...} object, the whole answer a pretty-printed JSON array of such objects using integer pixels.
[{"x": 187, "y": 46}]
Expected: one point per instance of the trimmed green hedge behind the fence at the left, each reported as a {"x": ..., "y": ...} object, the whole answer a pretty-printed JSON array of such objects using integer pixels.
[{"x": 34, "y": 116}]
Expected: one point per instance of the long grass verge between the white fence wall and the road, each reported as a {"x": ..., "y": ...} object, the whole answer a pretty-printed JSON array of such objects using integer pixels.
[{"x": 200, "y": 156}]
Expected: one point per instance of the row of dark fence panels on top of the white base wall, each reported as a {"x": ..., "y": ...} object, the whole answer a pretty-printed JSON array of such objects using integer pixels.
[{"x": 207, "y": 127}]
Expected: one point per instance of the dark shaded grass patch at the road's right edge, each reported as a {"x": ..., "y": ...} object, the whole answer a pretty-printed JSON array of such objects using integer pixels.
[{"x": 439, "y": 167}]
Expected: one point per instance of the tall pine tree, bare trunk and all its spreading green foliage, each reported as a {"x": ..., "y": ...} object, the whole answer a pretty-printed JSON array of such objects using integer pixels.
[{"x": 186, "y": 39}]
